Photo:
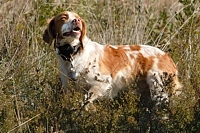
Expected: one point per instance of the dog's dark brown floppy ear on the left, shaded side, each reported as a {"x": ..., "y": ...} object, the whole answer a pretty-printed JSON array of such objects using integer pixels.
[{"x": 49, "y": 33}]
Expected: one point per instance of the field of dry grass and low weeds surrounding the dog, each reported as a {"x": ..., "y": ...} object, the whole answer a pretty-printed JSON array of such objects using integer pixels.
[{"x": 30, "y": 89}]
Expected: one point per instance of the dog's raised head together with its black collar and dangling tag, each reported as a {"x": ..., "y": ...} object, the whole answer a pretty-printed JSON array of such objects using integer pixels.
[{"x": 67, "y": 30}]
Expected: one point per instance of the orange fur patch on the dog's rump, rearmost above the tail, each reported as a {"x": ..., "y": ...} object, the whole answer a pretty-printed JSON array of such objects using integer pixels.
[{"x": 166, "y": 64}]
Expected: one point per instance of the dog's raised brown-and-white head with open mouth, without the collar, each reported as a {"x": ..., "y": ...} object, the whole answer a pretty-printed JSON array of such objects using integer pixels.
[{"x": 67, "y": 28}]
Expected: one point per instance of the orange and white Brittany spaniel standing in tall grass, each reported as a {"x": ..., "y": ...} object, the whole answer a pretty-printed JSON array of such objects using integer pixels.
[{"x": 107, "y": 68}]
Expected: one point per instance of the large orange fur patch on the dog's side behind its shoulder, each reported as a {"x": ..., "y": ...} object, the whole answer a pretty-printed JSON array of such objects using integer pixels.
[{"x": 113, "y": 61}]
